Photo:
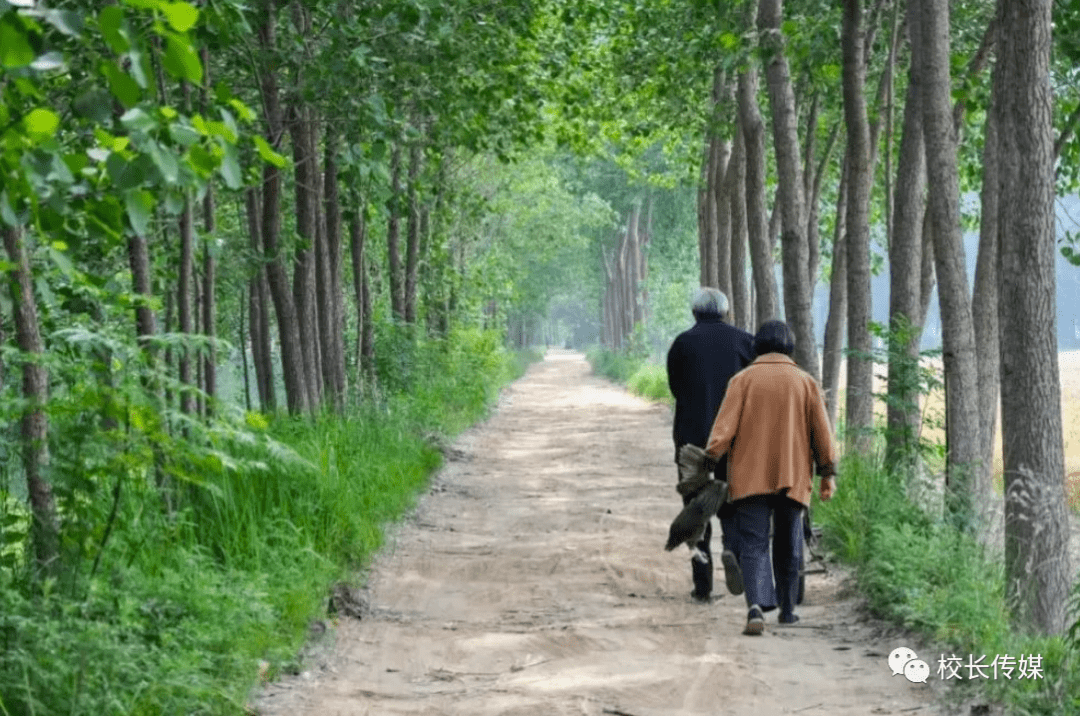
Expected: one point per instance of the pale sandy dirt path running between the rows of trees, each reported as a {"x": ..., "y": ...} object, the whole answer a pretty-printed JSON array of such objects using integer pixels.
[{"x": 532, "y": 582}]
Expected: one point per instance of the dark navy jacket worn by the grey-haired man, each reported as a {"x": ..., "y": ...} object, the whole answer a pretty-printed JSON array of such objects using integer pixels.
[{"x": 700, "y": 363}]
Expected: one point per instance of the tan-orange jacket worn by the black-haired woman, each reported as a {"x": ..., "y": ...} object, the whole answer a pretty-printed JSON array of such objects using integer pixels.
[{"x": 774, "y": 427}]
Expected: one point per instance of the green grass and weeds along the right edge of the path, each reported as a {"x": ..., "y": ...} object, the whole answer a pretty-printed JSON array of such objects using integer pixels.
[{"x": 940, "y": 584}]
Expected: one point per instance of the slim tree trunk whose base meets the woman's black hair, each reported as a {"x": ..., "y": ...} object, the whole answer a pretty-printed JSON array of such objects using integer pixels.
[{"x": 758, "y": 222}]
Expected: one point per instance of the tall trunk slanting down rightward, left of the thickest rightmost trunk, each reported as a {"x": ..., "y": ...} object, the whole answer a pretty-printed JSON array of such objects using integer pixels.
[{"x": 958, "y": 335}]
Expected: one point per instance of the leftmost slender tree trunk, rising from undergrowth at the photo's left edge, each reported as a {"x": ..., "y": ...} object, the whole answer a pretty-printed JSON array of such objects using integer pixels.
[{"x": 34, "y": 425}]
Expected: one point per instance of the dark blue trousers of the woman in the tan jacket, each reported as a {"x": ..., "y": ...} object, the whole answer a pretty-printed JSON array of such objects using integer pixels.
[{"x": 752, "y": 520}]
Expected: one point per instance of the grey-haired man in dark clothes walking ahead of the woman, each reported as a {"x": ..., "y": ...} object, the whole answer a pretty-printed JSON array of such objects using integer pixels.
[{"x": 700, "y": 363}]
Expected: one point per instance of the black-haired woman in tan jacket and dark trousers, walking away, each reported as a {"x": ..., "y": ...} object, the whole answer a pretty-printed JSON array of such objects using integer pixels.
[{"x": 774, "y": 428}]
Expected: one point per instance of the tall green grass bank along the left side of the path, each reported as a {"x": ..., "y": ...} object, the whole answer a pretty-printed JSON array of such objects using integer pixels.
[{"x": 192, "y": 606}]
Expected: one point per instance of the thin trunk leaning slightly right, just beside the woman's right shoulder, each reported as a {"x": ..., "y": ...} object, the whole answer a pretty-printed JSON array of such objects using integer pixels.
[{"x": 833, "y": 352}]
